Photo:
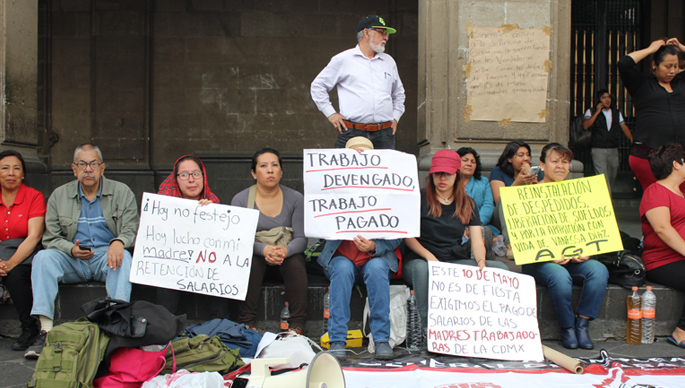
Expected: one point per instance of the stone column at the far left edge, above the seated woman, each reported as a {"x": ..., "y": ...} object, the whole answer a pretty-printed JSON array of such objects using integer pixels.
[{"x": 18, "y": 74}]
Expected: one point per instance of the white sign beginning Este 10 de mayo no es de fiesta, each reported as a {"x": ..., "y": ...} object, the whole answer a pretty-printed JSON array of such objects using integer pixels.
[{"x": 491, "y": 313}]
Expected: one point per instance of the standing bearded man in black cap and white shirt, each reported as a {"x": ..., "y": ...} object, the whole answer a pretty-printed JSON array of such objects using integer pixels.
[{"x": 370, "y": 92}]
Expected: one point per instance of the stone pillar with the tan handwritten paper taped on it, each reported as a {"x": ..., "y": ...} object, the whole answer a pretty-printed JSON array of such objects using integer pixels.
[{"x": 442, "y": 89}]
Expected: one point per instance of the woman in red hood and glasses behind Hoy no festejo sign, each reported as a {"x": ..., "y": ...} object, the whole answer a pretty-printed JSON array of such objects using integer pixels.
[{"x": 189, "y": 181}]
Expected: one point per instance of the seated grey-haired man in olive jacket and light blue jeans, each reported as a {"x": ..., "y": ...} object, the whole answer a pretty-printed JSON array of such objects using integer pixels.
[{"x": 88, "y": 226}]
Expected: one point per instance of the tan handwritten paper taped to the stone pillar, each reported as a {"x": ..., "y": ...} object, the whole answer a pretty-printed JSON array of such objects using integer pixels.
[{"x": 508, "y": 71}]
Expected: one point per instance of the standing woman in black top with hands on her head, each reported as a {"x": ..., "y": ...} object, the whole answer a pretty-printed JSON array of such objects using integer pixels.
[{"x": 659, "y": 100}]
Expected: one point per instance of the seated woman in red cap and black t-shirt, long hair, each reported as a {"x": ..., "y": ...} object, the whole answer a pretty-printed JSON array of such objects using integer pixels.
[{"x": 446, "y": 212}]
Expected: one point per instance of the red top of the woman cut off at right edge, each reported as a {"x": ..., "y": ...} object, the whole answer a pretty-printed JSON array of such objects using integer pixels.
[{"x": 657, "y": 253}]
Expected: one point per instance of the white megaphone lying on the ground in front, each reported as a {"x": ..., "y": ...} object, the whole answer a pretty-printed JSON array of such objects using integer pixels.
[{"x": 323, "y": 372}]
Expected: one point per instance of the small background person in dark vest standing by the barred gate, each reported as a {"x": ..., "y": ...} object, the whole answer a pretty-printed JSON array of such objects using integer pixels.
[{"x": 606, "y": 124}]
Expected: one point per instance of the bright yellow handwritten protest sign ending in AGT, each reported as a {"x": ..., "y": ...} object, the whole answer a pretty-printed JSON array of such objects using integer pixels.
[{"x": 569, "y": 218}]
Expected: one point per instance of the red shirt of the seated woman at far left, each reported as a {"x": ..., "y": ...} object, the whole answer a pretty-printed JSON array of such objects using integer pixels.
[{"x": 14, "y": 221}]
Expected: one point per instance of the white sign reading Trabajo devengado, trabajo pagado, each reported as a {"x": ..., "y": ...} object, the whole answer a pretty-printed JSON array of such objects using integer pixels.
[{"x": 375, "y": 193}]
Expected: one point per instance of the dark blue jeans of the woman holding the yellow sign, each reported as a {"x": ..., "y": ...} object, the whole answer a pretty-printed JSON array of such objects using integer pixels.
[{"x": 559, "y": 280}]
